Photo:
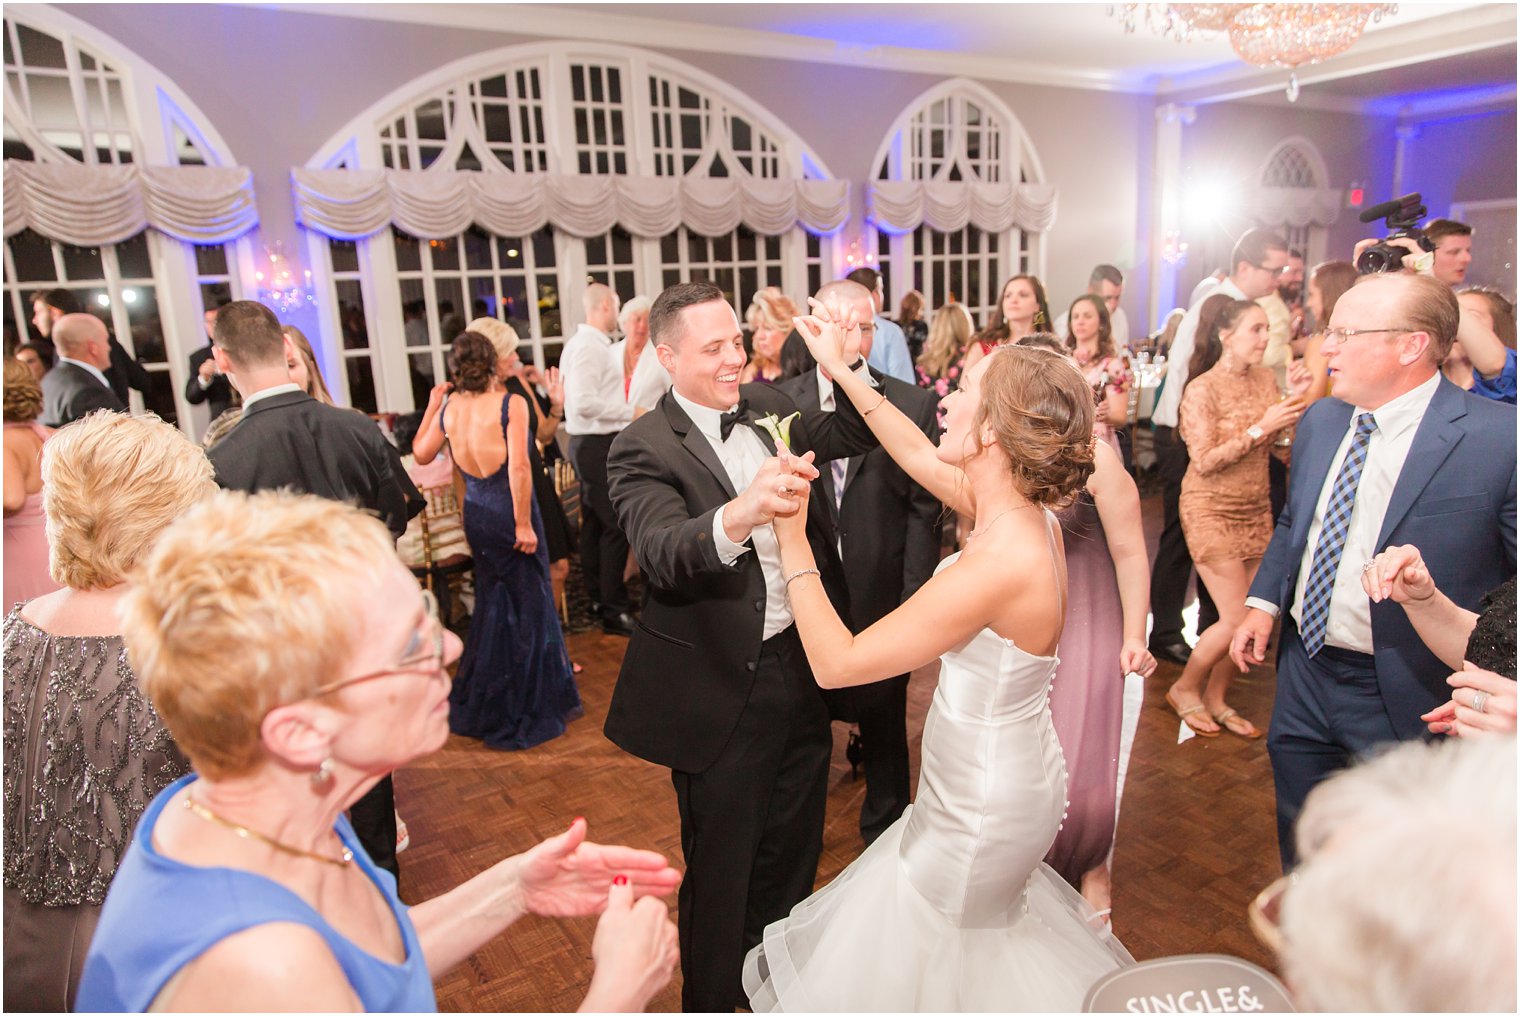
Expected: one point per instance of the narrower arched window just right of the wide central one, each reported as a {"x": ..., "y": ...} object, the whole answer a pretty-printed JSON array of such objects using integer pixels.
[{"x": 957, "y": 133}]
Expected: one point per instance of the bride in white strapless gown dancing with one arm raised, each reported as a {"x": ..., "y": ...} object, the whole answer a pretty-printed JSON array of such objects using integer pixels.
[{"x": 952, "y": 909}]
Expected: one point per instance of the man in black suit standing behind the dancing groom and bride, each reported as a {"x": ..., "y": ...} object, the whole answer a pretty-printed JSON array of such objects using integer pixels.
[{"x": 882, "y": 529}]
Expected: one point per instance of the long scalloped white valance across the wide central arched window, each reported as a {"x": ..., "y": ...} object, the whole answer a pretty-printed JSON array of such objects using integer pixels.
[{"x": 350, "y": 205}]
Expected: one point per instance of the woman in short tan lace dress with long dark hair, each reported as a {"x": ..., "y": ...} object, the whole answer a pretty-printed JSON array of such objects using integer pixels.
[{"x": 1230, "y": 419}]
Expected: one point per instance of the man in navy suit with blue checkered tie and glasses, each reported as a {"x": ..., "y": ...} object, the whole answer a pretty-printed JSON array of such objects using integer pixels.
[{"x": 1398, "y": 456}]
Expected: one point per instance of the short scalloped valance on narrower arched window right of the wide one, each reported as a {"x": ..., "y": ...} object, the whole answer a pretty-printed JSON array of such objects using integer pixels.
[{"x": 902, "y": 206}]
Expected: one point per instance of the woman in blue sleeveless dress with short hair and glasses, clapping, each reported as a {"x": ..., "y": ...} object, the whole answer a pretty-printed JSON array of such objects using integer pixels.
[{"x": 294, "y": 673}]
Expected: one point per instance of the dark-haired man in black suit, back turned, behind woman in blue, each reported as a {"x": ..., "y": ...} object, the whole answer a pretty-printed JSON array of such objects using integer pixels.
[{"x": 290, "y": 440}]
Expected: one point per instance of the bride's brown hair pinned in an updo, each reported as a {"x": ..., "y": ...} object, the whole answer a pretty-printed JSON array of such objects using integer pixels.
[{"x": 1040, "y": 410}]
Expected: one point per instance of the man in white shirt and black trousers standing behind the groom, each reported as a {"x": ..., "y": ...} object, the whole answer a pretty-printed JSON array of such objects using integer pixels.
[{"x": 597, "y": 411}]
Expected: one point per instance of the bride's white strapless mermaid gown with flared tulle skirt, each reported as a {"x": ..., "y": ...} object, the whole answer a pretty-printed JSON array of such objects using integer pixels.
[{"x": 952, "y": 909}]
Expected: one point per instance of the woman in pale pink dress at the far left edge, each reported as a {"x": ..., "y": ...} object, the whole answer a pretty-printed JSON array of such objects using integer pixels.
[{"x": 25, "y": 535}]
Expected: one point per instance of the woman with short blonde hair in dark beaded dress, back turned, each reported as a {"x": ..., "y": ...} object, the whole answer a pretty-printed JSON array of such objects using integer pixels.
[{"x": 84, "y": 749}]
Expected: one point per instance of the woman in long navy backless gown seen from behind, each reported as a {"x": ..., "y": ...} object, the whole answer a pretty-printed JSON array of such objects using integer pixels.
[{"x": 515, "y": 688}]
